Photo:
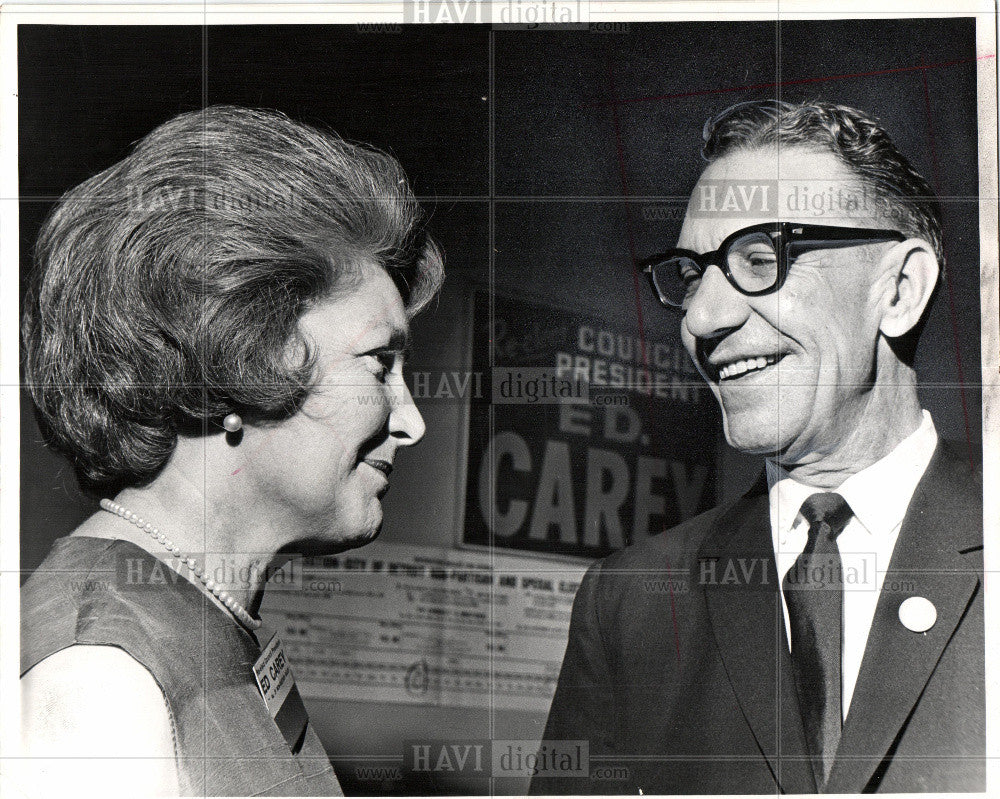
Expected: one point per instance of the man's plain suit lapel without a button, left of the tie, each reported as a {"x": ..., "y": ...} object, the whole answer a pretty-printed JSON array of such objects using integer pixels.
[{"x": 740, "y": 584}]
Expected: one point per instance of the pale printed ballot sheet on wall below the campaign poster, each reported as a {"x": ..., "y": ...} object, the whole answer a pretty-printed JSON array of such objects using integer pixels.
[{"x": 424, "y": 625}]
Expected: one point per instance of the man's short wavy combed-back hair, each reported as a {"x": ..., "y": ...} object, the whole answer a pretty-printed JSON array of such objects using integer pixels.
[{"x": 860, "y": 143}]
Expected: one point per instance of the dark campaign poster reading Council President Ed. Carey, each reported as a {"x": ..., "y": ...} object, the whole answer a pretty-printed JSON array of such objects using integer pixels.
[{"x": 598, "y": 437}]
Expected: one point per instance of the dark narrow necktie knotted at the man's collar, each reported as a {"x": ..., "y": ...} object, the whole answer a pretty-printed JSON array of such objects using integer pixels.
[{"x": 814, "y": 593}]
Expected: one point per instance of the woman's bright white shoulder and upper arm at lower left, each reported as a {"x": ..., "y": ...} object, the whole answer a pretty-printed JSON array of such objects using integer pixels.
[{"x": 96, "y": 702}]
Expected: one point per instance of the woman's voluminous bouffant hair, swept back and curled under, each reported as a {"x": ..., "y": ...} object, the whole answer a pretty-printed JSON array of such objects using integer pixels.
[{"x": 167, "y": 290}]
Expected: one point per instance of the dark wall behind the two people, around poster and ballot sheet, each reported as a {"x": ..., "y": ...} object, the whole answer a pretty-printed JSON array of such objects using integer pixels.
[{"x": 591, "y": 130}]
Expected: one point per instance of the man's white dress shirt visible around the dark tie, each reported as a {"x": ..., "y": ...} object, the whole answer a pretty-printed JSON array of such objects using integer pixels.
[{"x": 879, "y": 497}]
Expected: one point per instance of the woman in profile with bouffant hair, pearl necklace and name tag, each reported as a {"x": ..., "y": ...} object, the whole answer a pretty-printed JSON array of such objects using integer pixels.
[{"x": 214, "y": 336}]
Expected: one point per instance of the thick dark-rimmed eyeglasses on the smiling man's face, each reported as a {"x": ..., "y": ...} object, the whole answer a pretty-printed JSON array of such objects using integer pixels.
[{"x": 754, "y": 259}]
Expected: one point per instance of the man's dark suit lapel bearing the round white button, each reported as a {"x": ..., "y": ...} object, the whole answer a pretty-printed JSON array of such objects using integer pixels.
[{"x": 938, "y": 557}]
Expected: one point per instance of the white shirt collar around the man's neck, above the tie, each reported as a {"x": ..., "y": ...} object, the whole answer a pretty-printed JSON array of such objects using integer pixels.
[{"x": 879, "y": 494}]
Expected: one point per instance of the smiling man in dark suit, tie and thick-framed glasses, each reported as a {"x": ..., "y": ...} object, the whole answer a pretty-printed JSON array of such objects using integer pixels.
[{"x": 824, "y": 633}]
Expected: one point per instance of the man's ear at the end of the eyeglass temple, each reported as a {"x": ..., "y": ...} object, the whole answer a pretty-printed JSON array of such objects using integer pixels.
[{"x": 910, "y": 276}]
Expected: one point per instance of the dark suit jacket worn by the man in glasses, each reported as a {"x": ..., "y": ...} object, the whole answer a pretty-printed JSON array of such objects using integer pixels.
[{"x": 686, "y": 681}]
